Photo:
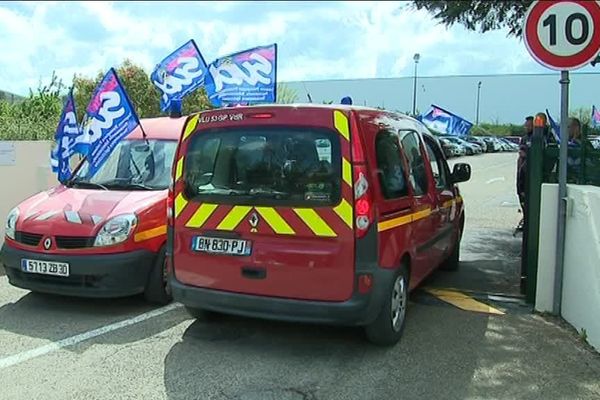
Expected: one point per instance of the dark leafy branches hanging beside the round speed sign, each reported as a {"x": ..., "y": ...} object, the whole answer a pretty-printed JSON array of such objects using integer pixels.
[{"x": 479, "y": 15}]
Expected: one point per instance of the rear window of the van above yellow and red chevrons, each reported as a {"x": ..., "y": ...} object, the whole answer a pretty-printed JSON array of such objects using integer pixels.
[{"x": 268, "y": 166}]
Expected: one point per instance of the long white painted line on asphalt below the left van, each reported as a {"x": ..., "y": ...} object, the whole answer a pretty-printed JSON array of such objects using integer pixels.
[{"x": 70, "y": 341}]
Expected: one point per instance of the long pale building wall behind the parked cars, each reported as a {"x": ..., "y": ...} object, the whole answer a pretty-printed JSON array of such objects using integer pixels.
[{"x": 503, "y": 98}]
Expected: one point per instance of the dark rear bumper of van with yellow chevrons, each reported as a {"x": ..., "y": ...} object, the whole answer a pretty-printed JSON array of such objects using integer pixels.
[{"x": 358, "y": 310}]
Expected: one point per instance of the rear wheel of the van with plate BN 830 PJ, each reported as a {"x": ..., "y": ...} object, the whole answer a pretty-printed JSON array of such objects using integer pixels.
[{"x": 387, "y": 329}]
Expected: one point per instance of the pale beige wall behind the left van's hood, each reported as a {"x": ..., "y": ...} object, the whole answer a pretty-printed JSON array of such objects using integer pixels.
[{"x": 30, "y": 174}]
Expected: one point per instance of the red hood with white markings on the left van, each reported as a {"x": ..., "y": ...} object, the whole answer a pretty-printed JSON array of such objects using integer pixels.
[{"x": 80, "y": 212}]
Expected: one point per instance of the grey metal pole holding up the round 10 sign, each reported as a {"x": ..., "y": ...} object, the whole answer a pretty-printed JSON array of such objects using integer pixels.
[{"x": 562, "y": 191}]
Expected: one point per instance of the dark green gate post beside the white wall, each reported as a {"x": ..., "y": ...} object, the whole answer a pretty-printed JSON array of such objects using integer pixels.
[{"x": 533, "y": 195}]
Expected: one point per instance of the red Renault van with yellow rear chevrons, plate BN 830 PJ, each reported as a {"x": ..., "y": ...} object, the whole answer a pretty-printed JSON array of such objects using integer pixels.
[{"x": 326, "y": 214}]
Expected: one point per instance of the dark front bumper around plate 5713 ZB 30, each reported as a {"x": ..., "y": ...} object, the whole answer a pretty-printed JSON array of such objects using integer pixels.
[{"x": 105, "y": 275}]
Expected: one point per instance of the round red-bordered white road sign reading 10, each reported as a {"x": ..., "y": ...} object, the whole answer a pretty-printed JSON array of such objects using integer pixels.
[{"x": 563, "y": 34}]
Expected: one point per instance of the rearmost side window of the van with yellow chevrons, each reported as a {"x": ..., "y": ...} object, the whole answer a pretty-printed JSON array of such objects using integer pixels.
[{"x": 392, "y": 177}]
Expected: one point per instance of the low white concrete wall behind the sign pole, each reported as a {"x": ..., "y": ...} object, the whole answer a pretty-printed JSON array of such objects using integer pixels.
[{"x": 581, "y": 279}]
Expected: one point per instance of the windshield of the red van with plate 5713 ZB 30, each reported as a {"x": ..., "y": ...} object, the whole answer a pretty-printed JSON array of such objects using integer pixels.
[{"x": 133, "y": 164}]
